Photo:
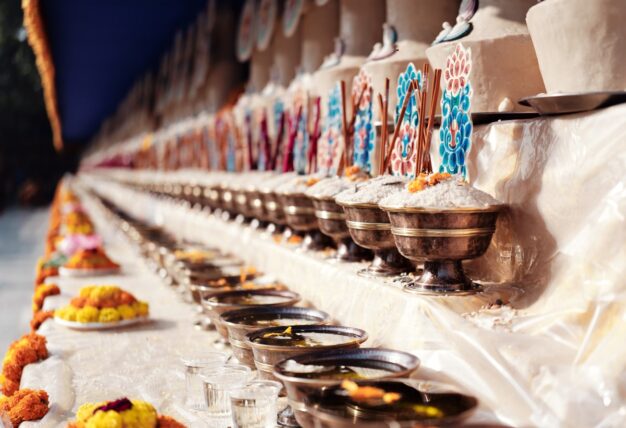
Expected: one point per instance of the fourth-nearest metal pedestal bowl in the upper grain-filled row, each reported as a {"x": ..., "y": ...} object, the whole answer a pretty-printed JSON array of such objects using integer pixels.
[{"x": 300, "y": 216}]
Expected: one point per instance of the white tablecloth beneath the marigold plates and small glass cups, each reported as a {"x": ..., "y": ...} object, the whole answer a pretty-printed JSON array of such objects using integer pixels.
[{"x": 138, "y": 362}]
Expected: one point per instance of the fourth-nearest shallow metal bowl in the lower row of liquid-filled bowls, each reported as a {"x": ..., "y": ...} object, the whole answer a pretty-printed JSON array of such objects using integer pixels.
[{"x": 243, "y": 321}]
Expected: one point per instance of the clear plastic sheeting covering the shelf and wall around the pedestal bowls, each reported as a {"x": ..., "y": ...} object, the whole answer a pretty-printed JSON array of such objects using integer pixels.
[{"x": 553, "y": 354}]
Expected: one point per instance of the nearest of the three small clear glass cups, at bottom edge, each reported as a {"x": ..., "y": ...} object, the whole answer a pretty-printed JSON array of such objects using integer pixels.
[{"x": 254, "y": 405}]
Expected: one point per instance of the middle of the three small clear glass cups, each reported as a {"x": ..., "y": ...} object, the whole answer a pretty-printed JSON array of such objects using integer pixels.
[{"x": 218, "y": 384}]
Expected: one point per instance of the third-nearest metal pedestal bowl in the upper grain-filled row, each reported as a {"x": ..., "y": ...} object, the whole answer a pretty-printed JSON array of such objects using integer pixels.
[{"x": 332, "y": 222}]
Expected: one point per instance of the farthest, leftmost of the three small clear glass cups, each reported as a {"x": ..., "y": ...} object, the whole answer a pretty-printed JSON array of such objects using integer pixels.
[{"x": 194, "y": 364}]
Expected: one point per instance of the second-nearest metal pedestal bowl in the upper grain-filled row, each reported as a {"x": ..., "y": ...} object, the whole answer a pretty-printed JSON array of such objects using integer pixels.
[{"x": 370, "y": 228}]
